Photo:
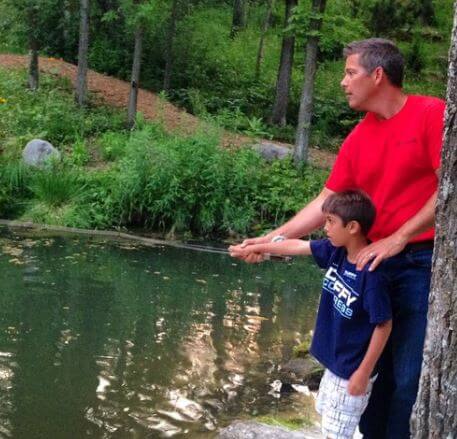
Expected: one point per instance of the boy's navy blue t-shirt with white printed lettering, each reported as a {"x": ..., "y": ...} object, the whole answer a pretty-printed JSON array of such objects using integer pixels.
[{"x": 352, "y": 304}]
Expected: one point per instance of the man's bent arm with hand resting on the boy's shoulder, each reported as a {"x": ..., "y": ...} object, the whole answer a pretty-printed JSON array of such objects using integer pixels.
[{"x": 395, "y": 243}]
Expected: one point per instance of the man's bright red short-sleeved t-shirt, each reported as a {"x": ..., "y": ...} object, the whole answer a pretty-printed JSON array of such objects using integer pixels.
[{"x": 394, "y": 161}]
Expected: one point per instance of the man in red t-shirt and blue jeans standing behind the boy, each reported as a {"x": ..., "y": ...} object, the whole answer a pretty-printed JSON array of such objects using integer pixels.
[{"x": 393, "y": 154}]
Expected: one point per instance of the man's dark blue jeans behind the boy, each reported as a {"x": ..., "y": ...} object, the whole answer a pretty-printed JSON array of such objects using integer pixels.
[{"x": 395, "y": 390}]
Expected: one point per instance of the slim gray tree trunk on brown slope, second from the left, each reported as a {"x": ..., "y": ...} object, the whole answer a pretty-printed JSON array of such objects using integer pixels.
[{"x": 81, "y": 80}]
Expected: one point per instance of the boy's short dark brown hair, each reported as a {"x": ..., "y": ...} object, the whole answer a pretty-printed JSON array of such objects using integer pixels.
[{"x": 351, "y": 205}]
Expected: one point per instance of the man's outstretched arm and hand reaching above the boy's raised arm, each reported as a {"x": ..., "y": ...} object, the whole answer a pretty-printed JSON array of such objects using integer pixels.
[{"x": 308, "y": 219}]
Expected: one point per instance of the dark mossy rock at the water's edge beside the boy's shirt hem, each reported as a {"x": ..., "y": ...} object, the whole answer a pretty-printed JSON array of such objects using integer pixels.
[{"x": 305, "y": 371}]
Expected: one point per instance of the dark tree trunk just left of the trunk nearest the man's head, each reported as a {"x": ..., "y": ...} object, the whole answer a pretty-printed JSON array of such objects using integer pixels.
[{"x": 278, "y": 116}]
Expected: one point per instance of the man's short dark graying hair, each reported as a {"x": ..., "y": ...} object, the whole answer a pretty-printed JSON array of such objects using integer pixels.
[{"x": 378, "y": 52}]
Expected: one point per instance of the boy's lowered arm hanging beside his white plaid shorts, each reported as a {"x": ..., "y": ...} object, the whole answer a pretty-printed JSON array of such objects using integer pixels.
[{"x": 359, "y": 380}]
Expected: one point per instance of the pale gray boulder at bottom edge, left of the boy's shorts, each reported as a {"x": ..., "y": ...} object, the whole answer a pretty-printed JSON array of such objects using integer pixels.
[{"x": 255, "y": 430}]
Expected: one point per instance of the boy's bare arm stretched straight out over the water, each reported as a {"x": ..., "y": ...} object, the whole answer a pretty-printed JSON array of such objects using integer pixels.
[{"x": 288, "y": 247}]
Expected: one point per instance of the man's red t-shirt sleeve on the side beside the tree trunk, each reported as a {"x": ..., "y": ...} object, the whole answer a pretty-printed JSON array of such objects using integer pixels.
[{"x": 434, "y": 131}]
